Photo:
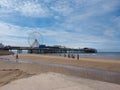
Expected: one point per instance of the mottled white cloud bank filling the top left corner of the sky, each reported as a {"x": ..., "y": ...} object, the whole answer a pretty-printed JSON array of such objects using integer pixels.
[{"x": 29, "y": 8}]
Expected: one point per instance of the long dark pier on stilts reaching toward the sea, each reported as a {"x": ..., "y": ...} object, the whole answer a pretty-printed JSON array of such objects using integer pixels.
[{"x": 51, "y": 49}]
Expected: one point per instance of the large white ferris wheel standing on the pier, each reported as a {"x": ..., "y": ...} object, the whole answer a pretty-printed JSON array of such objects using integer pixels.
[{"x": 35, "y": 39}]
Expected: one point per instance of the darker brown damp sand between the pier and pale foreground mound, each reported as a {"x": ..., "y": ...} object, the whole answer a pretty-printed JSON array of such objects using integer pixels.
[{"x": 12, "y": 70}]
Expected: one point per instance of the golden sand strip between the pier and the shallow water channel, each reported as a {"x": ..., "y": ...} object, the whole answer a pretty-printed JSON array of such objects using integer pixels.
[{"x": 102, "y": 64}]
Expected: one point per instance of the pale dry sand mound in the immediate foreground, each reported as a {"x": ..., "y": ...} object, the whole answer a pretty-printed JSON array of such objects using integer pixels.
[{"x": 54, "y": 81}]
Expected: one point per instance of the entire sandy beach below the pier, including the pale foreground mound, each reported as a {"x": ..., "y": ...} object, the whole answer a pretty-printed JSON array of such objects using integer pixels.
[{"x": 11, "y": 71}]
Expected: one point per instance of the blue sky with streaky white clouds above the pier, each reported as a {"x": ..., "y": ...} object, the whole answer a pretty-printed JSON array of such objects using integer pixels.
[{"x": 70, "y": 23}]
